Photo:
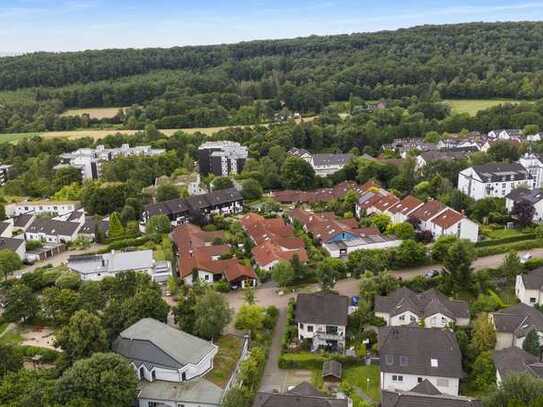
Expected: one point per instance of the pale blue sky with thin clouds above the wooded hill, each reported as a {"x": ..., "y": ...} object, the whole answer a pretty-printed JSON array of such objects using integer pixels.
[{"x": 70, "y": 25}]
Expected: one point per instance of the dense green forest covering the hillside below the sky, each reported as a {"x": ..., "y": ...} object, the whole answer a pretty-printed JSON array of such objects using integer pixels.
[{"x": 248, "y": 83}]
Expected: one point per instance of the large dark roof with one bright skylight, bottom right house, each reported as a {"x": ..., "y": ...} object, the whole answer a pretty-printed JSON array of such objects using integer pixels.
[{"x": 420, "y": 351}]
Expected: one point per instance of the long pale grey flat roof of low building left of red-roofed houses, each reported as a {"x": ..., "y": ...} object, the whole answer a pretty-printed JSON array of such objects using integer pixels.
[{"x": 113, "y": 262}]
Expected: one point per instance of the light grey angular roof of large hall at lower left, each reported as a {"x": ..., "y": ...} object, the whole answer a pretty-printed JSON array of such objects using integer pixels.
[{"x": 155, "y": 342}]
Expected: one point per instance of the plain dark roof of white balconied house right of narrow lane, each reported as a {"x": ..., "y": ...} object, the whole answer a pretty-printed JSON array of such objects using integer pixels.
[{"x": 322, "y": 308}]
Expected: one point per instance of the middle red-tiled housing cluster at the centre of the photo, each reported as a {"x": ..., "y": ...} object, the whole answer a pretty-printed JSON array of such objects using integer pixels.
[{"x": 274, "y": 241}]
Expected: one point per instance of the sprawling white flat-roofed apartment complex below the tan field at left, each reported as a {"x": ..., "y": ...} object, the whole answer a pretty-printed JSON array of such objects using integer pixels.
[{"x": 89, "y": 161}]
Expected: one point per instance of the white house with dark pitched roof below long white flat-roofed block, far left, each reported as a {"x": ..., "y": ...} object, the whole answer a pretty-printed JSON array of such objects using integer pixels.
[{"x": 52, "y": 231}]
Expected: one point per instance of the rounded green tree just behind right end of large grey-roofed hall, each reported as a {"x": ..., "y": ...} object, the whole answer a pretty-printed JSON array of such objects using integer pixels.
[{"x": 212, "y": 314}]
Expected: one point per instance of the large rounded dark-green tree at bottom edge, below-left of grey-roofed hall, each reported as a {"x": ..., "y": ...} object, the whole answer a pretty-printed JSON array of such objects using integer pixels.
[{"x": 103, "y": 380}]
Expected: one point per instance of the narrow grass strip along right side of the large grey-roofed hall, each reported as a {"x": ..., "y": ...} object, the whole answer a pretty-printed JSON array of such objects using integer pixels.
[{"x": 226, "y": 360}]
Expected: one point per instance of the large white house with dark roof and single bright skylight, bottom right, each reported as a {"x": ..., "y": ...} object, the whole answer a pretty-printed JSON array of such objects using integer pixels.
[{"x": 411, "y": 354}]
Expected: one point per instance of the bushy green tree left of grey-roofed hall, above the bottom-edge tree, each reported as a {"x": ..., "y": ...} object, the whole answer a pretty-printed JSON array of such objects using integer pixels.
[{"x": 82, "y": 336}]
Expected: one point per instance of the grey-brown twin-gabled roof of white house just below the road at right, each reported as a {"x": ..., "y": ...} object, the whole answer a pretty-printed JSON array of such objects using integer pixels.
[{"x": 423, "y": 305}]
